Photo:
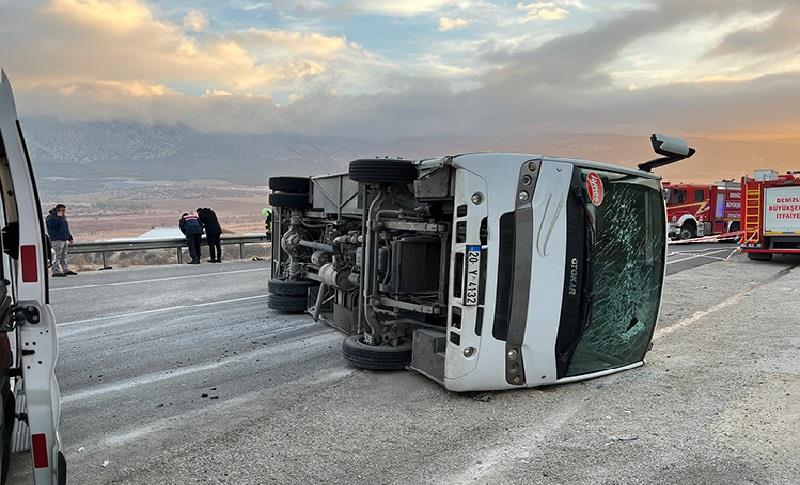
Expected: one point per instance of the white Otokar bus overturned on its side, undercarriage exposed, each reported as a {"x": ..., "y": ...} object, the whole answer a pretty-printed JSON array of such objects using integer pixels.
[{"x": 481, "y": 271}]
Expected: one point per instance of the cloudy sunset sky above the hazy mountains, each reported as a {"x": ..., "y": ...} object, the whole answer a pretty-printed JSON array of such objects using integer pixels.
[{"x": 395, "y": 68}]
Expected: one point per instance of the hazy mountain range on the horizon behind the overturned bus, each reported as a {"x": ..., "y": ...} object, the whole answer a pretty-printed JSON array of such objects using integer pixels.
[{"x": 127, "y": 149}]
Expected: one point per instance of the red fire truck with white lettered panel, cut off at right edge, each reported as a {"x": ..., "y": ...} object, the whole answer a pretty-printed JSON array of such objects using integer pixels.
[{"x": 771, "y": 216}]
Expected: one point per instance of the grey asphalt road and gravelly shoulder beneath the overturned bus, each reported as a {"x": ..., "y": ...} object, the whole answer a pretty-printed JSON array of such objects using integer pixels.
[{"x": 180, "y": 374}]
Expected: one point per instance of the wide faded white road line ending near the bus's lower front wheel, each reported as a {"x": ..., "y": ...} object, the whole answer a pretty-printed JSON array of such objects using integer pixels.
[{"x": 290, "y": 349}]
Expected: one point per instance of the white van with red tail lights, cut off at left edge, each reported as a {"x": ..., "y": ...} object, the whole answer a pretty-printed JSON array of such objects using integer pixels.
[{"x": 29, "y": 396}]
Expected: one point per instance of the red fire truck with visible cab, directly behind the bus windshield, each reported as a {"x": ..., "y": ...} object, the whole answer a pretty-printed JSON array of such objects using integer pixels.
[{"x": 702, "y": 210}]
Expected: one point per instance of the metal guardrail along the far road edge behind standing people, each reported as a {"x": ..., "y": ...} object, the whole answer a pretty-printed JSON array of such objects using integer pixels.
[{"x": 105, "y": 247}]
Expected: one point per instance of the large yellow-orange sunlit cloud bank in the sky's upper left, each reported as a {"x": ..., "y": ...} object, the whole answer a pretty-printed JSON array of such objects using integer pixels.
[{"x": 122, "y": 41}]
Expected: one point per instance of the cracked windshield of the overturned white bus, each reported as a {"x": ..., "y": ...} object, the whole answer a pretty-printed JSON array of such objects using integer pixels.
[{"x": 626, "y": 260}]
